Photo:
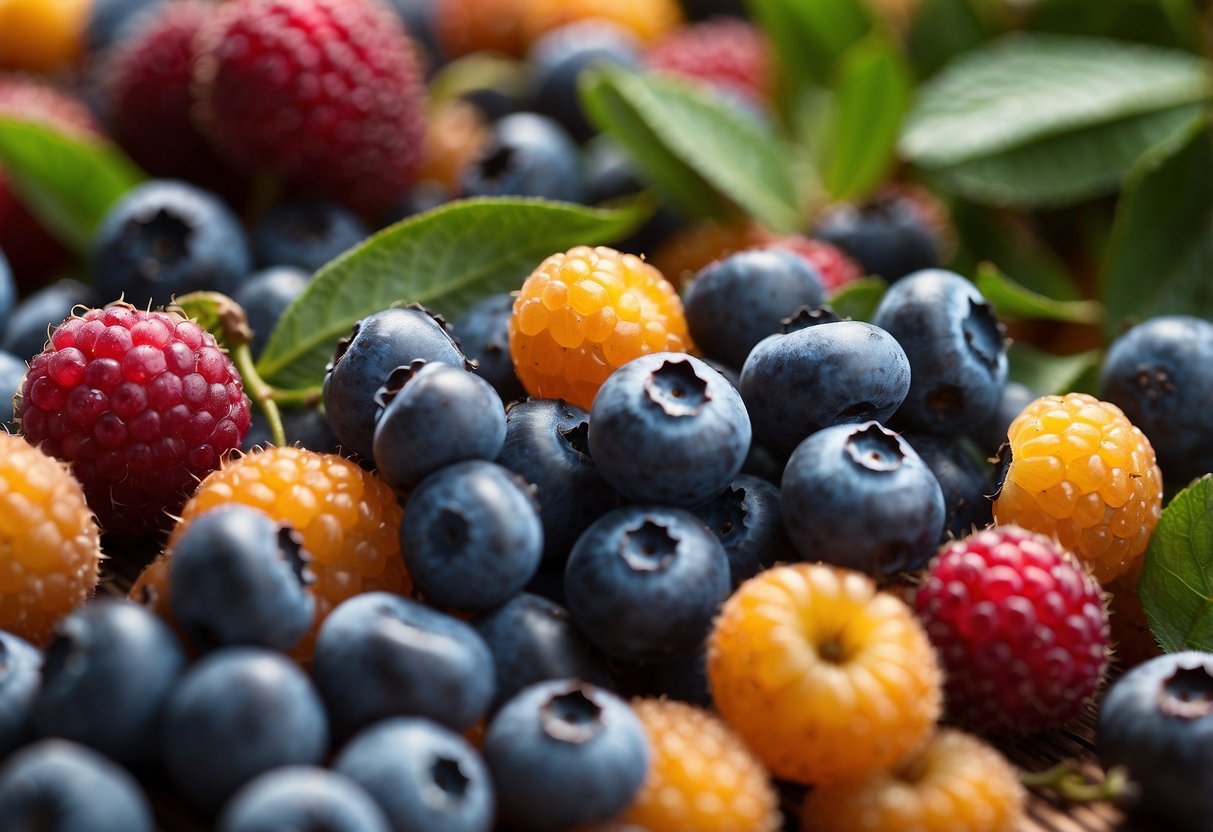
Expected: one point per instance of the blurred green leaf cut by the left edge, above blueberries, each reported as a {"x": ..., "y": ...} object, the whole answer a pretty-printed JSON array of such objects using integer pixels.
[{"x": 67, "y": 183}]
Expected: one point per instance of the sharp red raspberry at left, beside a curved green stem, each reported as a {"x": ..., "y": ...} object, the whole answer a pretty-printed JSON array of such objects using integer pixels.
[{"x": 143, "y": 404}]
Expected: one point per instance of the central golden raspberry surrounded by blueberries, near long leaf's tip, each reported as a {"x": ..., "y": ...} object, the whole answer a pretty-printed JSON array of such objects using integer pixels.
[{"x": 583, "y": 315}]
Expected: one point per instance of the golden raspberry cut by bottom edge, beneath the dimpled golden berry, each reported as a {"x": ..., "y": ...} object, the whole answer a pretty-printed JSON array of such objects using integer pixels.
[{"x": 955, "y": 784}]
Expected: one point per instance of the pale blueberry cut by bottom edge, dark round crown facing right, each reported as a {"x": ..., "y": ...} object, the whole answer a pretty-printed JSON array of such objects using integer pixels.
[{"x": 425, "y": 777}]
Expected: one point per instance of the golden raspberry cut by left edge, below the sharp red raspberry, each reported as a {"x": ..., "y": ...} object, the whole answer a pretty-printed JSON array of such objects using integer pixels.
[{"x": 50, "y": 546}]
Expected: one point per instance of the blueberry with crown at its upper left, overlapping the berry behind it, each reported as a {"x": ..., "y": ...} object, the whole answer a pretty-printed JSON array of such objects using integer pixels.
[{"x": 435, "y": 415}]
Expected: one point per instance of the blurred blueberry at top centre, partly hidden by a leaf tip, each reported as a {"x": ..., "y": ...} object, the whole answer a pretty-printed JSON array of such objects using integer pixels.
[{"x": 559, "y": 59}]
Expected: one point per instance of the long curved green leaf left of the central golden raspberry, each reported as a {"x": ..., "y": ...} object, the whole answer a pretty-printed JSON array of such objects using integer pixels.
[{"x": 447, "y": 260}]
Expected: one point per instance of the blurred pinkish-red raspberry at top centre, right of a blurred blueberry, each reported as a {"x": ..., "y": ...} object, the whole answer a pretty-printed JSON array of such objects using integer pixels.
[{"x": 727, "y": 54}]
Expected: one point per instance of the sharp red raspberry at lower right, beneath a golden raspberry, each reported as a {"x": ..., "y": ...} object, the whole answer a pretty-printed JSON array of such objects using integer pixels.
[{"x": 1021, "y": 628}]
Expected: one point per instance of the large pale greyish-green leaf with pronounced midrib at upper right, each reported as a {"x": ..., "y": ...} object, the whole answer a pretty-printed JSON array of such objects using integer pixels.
[{"x": 1044, "y": 121}]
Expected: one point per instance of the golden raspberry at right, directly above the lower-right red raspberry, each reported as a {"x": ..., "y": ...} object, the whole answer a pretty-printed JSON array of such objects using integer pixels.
[{"x": 1081, "y": 472}]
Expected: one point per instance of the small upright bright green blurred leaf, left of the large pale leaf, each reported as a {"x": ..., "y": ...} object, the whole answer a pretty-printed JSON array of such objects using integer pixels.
[{"x": 874, "y": 95}]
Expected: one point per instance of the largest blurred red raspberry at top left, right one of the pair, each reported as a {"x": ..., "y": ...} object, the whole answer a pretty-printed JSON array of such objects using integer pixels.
[{"x": 324, "y": 94}]
